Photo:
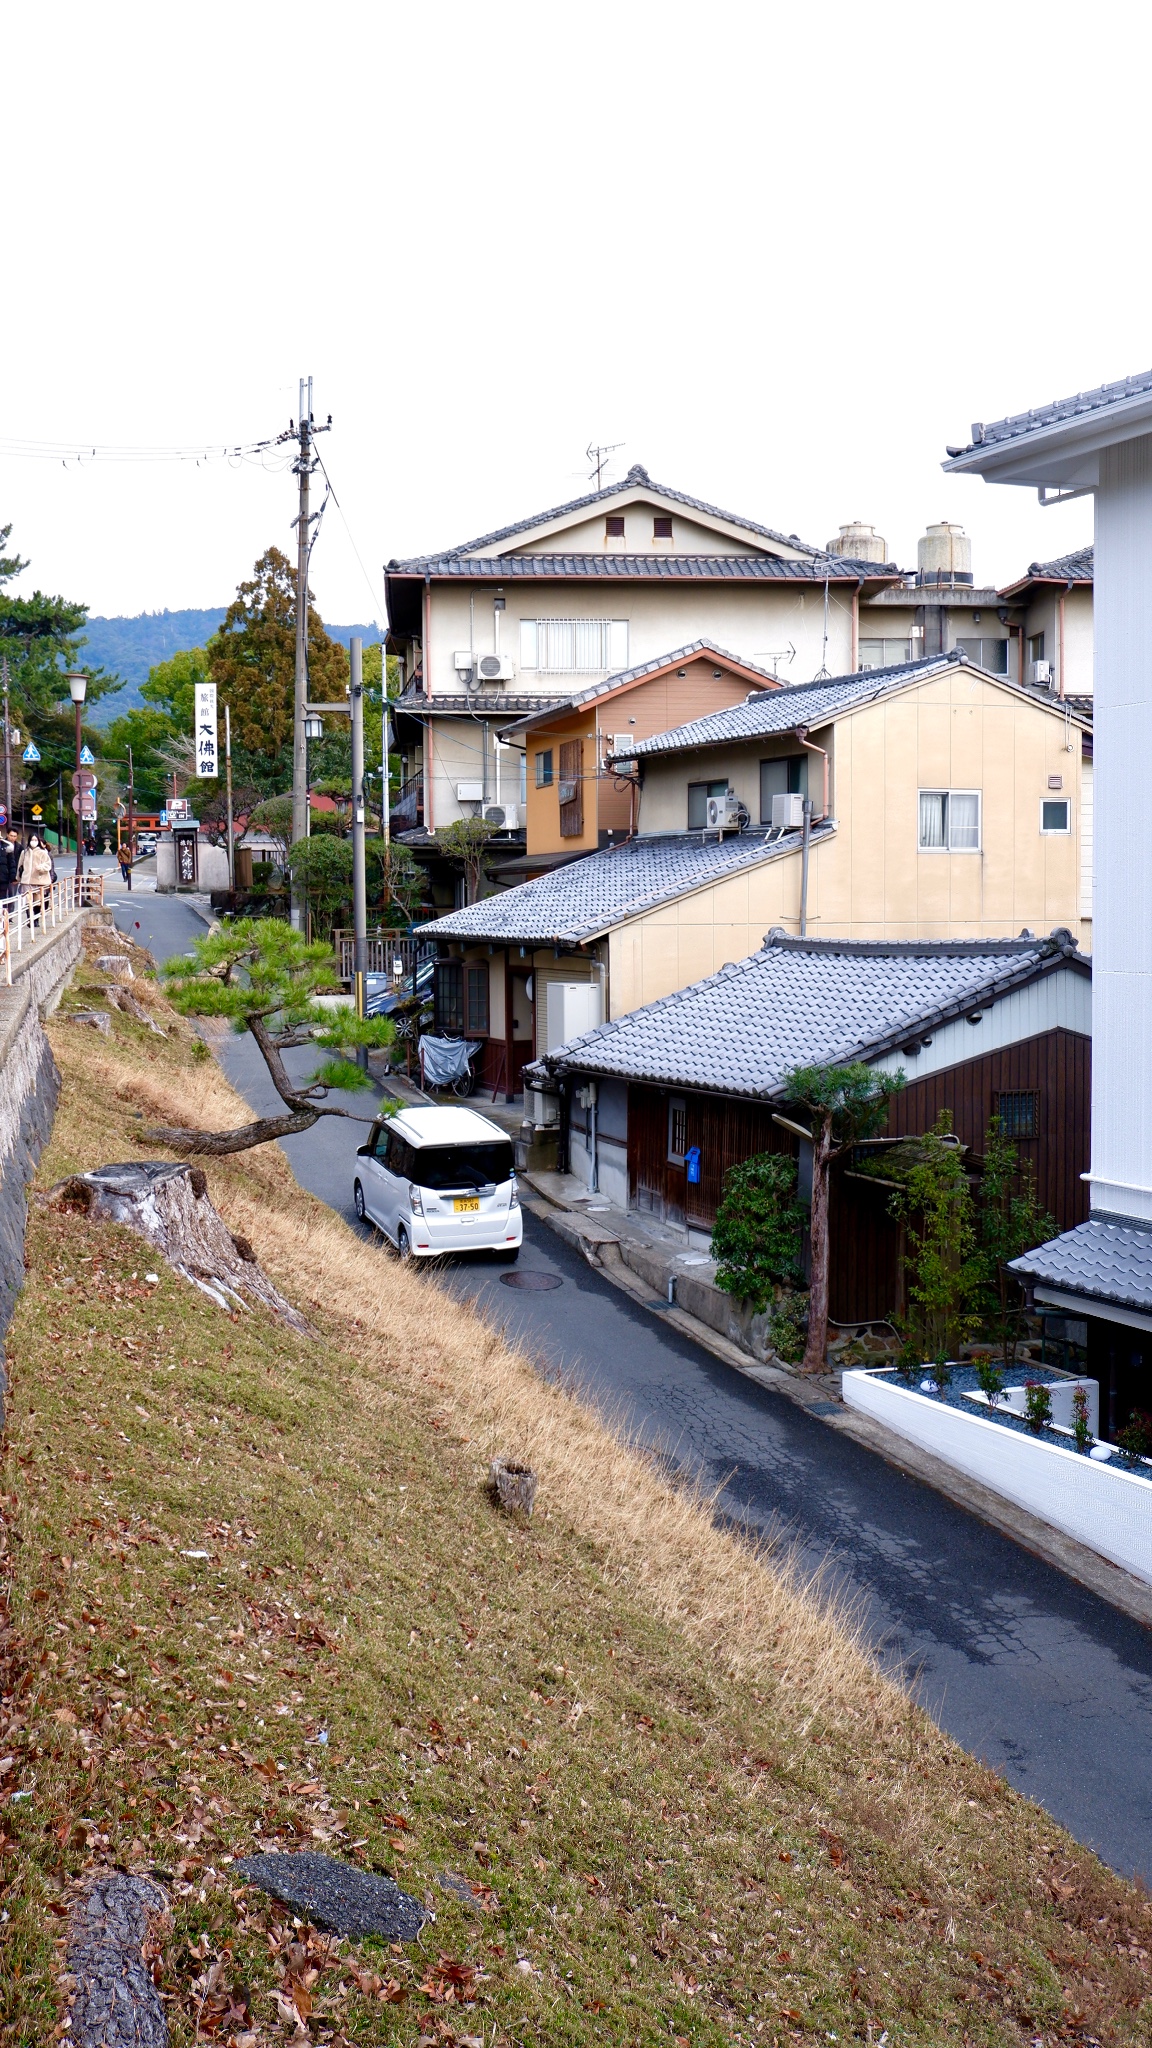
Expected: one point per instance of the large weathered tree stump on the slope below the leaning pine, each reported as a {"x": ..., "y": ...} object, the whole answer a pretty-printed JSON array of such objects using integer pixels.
[{"x": 171, "y": 1207}]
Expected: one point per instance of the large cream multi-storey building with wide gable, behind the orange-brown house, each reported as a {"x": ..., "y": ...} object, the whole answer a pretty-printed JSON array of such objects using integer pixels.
[{"x": 528, "y": 617}]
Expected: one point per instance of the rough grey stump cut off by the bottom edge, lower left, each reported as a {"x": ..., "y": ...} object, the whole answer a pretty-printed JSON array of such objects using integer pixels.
[{"x": 114, "y": 1934}]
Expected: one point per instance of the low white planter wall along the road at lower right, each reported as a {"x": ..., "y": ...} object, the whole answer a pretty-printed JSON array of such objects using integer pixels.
[{"x": 1102, "y": 1506}]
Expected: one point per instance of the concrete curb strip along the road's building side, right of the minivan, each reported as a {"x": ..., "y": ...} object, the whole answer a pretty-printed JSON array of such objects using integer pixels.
[{"x": 1096, "y": 1574}]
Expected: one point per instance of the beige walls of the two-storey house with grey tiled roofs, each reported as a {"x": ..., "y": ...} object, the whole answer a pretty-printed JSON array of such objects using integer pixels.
[{"x": 870, "y": 880}]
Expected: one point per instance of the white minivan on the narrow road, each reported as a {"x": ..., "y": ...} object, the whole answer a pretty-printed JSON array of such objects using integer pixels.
[{"x": 440, "y": 1181}]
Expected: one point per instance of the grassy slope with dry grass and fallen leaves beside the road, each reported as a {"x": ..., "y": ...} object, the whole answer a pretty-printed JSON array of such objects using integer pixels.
[{"x": 688, "y": 1803}]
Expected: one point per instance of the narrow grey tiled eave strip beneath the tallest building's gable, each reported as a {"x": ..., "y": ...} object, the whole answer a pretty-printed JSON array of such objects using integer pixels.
[{"x": 645, "y": 568}]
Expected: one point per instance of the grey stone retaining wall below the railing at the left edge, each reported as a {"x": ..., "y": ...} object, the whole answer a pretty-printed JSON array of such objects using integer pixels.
[{"x": 30, "y": 1089}]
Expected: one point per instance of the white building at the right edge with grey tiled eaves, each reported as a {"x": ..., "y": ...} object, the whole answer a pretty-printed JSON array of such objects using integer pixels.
[{"x": 1102, "y": 1273}]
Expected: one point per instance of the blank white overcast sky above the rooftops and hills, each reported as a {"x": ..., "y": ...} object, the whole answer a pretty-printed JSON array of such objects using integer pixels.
[{"x": 782, "y": 255}]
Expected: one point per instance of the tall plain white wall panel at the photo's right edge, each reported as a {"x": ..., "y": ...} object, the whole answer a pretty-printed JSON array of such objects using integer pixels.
[{"x": 1122, "y": 923}]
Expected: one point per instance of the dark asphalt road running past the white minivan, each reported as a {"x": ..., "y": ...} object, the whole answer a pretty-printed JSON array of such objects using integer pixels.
[{"x": 1022, "y": 1666}]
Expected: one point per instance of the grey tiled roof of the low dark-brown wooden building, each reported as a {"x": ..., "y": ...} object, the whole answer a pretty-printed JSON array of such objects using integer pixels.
[{"x": 807, "y": 1002}]
